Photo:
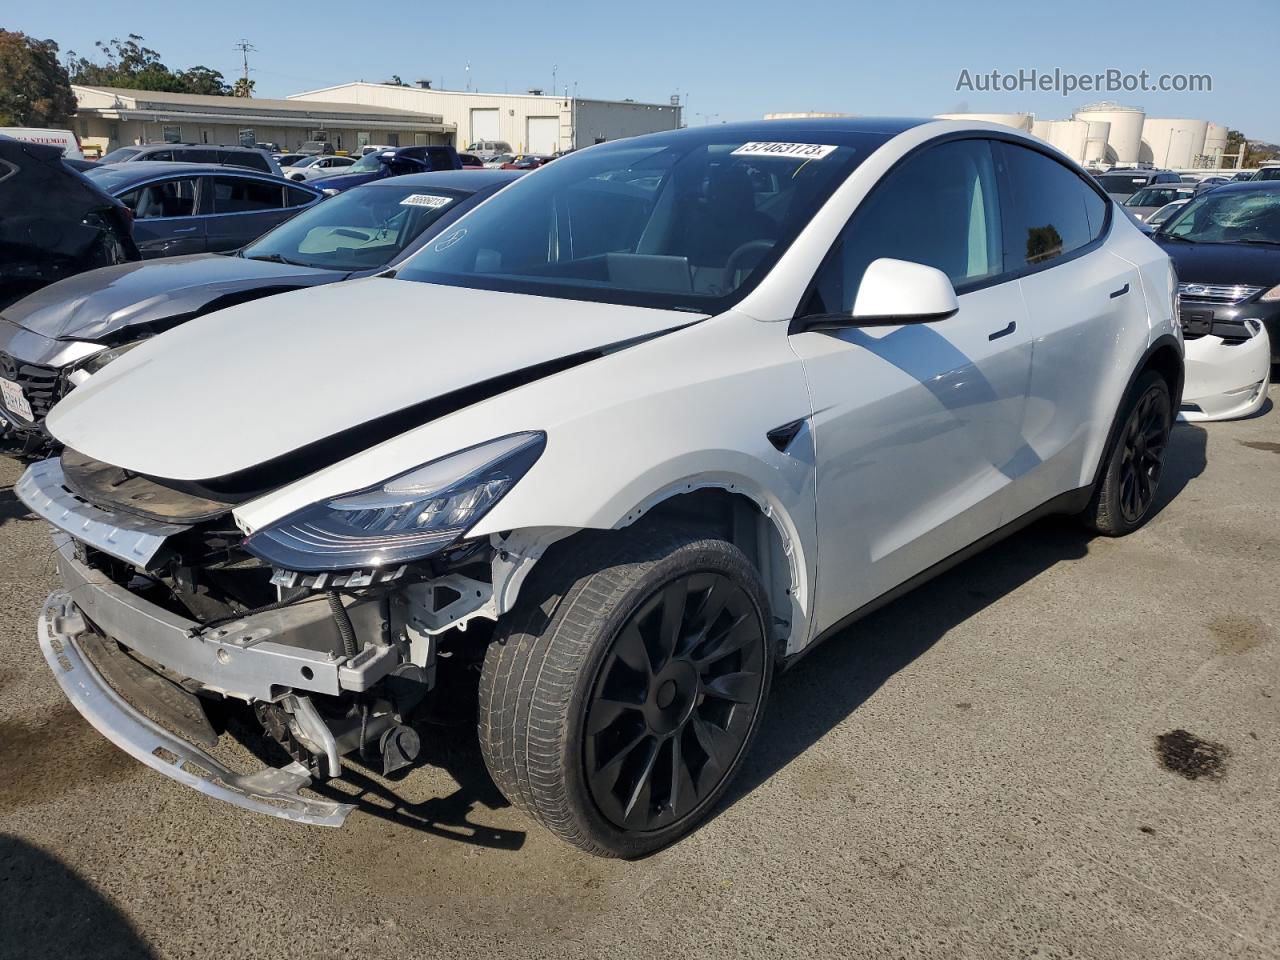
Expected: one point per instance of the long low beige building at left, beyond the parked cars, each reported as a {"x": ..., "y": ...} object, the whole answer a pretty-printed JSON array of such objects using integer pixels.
[{"x": 113, "y": 117}]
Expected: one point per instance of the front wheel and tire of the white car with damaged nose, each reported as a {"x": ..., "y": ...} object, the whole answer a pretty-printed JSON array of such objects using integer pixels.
[{"x": 621, "y": 696}]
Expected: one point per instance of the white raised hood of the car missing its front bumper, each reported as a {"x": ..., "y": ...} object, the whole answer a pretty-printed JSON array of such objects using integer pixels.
[{"x": 254, "y": 383}]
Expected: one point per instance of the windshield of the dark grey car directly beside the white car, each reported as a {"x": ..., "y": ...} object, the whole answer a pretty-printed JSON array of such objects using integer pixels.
[{"x": 360, "y": 230}]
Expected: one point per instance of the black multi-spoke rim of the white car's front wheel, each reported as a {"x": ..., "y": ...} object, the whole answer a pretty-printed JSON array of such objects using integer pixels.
[{"x": 674, "y": 702}]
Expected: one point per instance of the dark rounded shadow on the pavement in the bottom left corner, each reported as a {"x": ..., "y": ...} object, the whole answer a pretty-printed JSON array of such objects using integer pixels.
[{"x": 48, "y": 911}]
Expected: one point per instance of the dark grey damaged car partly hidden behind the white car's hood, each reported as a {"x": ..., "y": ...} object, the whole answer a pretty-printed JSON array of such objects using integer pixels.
[{"x": 56, "y": 340}]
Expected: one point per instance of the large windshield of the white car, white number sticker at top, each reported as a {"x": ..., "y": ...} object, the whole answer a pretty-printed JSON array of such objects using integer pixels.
[{"x": 683, "y": 221}]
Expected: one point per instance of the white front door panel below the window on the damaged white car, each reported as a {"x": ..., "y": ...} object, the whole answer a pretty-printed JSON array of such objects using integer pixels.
[{"x": 920, "y": 442}]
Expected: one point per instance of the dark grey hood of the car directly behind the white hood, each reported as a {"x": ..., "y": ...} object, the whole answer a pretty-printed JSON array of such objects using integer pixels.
[{"x": 100, "y": 303}]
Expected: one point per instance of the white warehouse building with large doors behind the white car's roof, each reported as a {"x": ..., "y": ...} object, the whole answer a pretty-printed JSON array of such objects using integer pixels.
[{"x": 532, "y": 124}]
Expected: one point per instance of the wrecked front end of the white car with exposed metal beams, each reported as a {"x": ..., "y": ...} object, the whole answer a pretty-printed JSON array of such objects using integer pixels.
[{"x": 168, "y": 615}]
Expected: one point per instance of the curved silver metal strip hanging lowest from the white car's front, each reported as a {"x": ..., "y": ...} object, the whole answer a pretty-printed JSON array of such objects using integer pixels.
[{"x": 273, "y": 792}]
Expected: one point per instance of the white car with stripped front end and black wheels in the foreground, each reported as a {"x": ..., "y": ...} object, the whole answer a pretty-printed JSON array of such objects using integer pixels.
[{"x": 715, "y": 395}]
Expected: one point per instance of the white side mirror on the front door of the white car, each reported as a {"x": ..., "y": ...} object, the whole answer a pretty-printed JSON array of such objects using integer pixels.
[{"x": 893, "y": 292}]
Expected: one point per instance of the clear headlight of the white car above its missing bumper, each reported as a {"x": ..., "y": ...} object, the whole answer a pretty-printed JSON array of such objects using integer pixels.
[{"x": 408, "y": 518}]
